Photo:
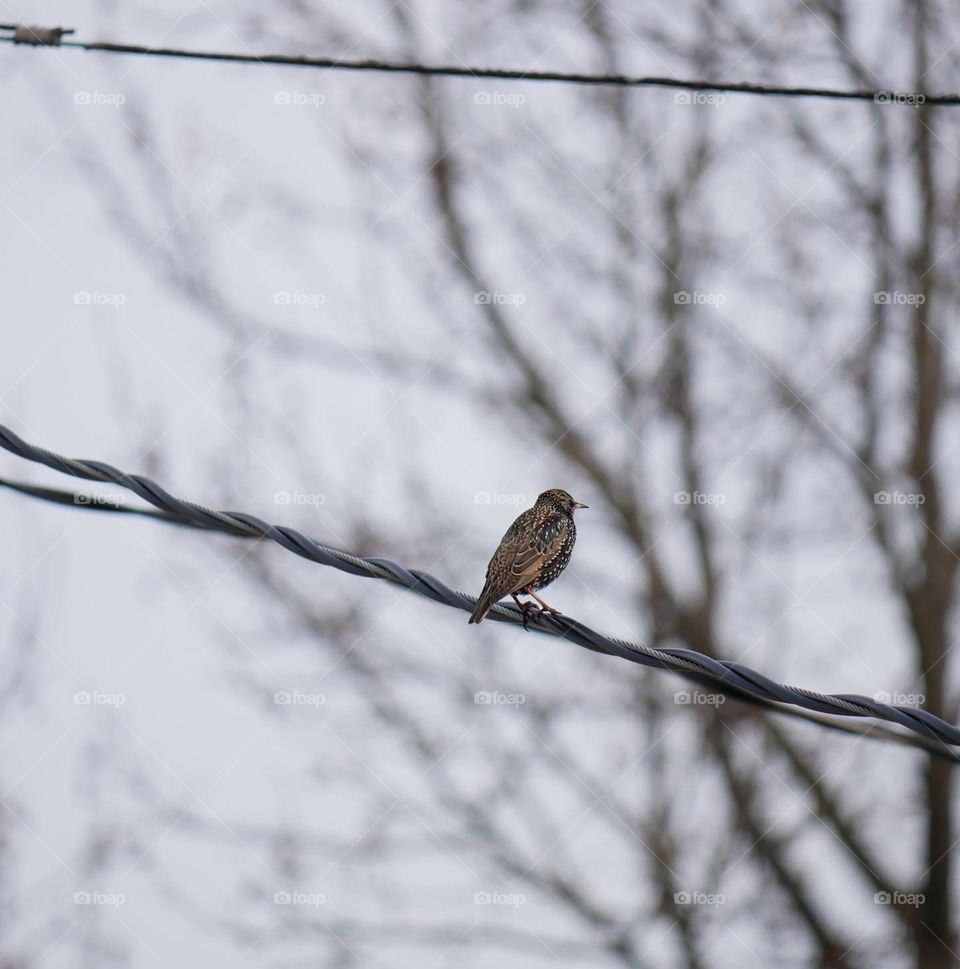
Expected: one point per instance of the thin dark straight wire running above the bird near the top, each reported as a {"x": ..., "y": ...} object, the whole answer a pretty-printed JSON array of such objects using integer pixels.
[{"x": 51, "y": 37}]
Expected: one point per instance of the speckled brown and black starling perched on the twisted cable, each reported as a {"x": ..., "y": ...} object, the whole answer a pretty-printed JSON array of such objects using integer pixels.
[{"x": 534, "y": 551}]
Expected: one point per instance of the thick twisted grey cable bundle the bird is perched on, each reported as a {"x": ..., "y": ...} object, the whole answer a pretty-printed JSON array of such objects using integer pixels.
[{"x": 929, "y": 732}]
